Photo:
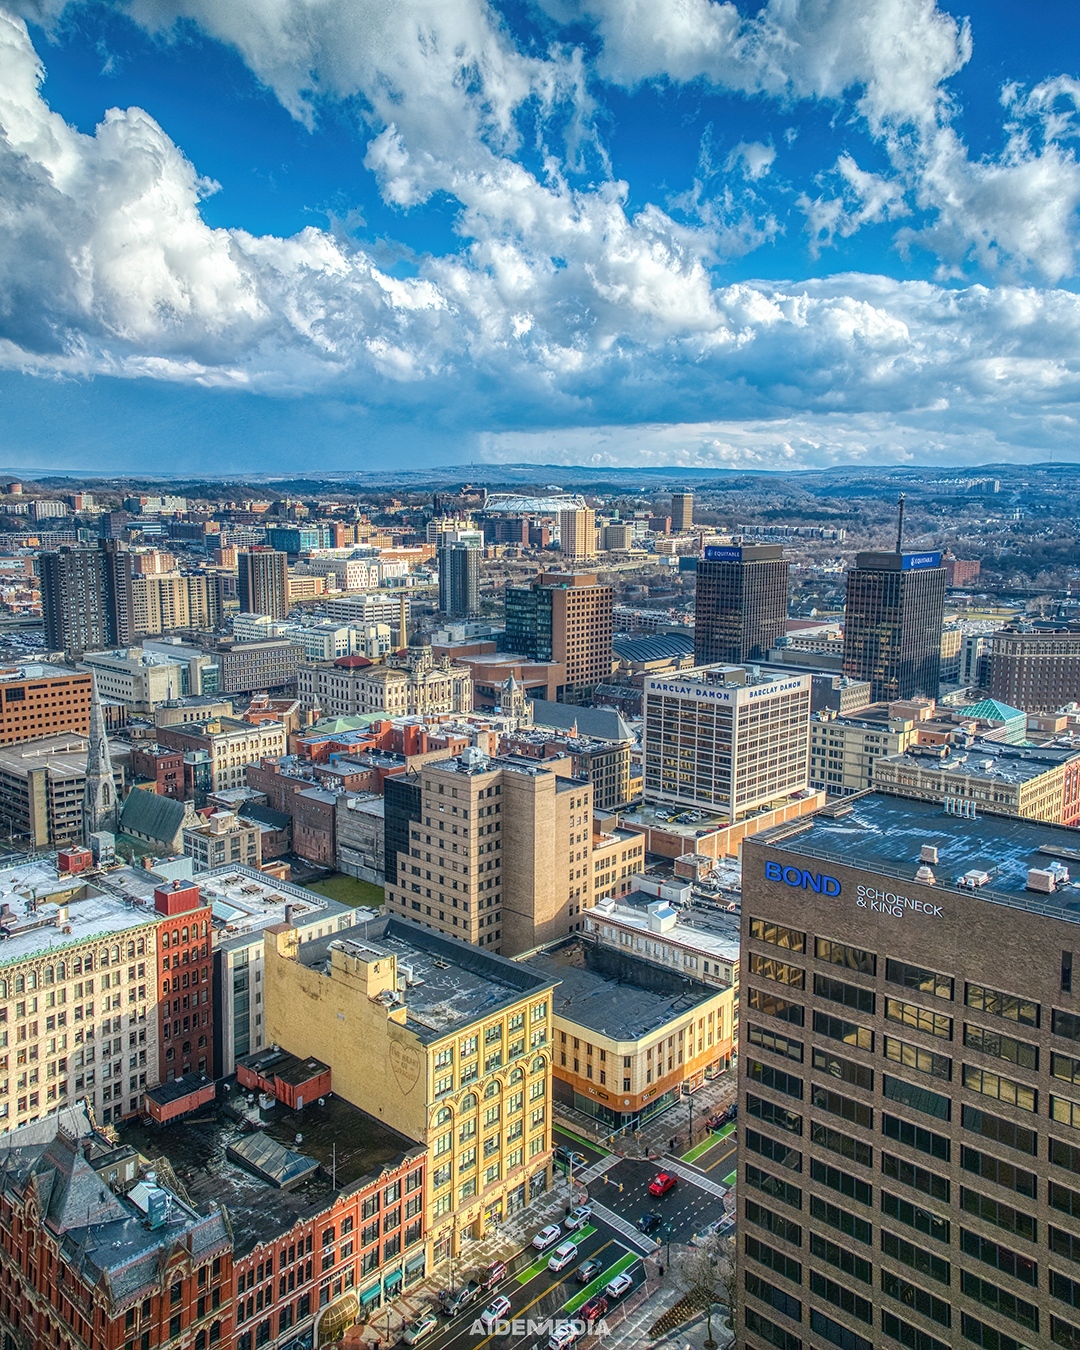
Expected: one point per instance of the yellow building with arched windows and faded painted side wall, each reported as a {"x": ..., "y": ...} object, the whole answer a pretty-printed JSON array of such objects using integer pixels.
[{"x": 448, "y": 1043}]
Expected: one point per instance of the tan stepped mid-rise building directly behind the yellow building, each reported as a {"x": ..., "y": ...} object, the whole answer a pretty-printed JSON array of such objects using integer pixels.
[{"x": 502, "y": 855}]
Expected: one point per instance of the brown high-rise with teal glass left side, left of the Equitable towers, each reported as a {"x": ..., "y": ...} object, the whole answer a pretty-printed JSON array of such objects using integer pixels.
[{"x": 564, "y": 618}]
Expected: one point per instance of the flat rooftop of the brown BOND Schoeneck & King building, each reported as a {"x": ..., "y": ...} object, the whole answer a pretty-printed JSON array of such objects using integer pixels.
[{"x": 885, "y": 835}]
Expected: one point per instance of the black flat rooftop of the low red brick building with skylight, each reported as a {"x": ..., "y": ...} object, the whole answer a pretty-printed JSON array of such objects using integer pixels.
[{"x": 196, "y": 1148}]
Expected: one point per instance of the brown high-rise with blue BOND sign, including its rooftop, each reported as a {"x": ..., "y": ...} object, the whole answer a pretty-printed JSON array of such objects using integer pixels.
[{"x": 909, "y": 1082}]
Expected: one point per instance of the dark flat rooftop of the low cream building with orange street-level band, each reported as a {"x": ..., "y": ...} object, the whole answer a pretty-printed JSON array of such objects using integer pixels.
[{"x": 610, "y": 992}]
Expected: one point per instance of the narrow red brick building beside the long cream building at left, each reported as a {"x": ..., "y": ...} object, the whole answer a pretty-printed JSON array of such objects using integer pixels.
[{"x": 186, "y": 1002}]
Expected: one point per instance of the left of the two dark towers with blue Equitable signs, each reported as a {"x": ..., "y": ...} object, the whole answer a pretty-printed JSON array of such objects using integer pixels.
[{"x": 740, "y": 610}]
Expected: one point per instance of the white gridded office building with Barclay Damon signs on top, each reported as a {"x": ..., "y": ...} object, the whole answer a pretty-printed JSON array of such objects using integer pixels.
[{"x": 727, "y": 740}]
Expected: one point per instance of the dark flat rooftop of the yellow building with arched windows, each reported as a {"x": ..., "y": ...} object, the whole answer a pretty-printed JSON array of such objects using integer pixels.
[{"x": 453, "y": 983}]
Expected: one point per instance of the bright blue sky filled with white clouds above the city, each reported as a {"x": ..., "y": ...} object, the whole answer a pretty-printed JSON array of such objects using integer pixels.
[{"x": 241, "y": 234}]
